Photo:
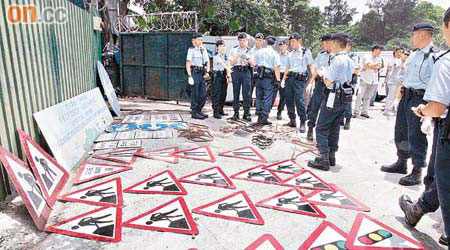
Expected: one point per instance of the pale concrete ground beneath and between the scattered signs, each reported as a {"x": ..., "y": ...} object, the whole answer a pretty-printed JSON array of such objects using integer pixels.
[{"x": 363, "y": 149}]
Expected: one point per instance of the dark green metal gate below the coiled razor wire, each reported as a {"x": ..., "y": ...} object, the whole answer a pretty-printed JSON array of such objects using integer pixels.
[{"x": 153, "y": 64}]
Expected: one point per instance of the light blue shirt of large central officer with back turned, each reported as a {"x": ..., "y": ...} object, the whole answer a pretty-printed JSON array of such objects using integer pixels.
[{"x": 340, "y": 70}]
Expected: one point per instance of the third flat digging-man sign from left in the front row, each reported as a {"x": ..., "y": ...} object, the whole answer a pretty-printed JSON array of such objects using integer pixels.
[{"x": 236, "y": 206}]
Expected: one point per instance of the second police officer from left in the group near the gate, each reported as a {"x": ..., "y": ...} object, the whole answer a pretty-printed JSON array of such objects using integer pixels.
[{"x": 222, "y": 75}]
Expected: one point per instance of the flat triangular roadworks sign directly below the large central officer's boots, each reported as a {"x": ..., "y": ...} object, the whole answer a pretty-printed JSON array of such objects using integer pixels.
[{"x": 306, "y": 180}]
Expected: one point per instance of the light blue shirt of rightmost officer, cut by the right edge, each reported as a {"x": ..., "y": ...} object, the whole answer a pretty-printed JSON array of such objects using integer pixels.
[{"x": 438, "y": 89}]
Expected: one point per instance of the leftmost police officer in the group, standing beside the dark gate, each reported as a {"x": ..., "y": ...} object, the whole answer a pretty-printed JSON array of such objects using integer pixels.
[{"x": 197, "y": 67}]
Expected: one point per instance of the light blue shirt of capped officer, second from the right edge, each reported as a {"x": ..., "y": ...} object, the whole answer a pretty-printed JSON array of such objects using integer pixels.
[{"x": 418, "y": 70}]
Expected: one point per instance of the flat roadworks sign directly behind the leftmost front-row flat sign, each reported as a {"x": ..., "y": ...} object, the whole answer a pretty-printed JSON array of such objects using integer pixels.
[{"x": 101, "y": 194}]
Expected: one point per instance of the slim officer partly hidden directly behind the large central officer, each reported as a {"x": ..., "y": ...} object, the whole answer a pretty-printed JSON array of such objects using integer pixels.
[{"x": 322, "y": 62}]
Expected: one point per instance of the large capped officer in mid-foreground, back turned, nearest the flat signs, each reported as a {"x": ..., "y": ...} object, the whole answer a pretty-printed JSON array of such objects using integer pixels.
[{"x": 337, "y": 80}]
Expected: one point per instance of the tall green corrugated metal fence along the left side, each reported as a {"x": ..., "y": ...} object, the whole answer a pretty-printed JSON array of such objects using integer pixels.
[{"x": 41, "y": 65}]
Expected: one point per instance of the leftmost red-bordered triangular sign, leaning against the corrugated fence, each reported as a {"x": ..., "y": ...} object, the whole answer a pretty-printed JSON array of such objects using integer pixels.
[{"x": 28, "y": 188}]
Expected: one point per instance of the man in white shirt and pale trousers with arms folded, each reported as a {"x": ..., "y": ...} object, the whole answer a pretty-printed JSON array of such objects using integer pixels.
[{"x": 371, "y": 66}]
